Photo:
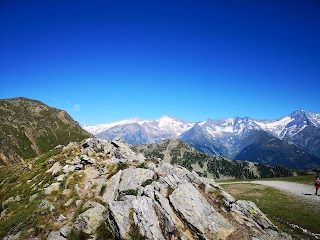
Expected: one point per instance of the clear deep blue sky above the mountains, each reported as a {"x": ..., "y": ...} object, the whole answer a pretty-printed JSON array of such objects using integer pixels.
[{"x": 104, "y": 61}]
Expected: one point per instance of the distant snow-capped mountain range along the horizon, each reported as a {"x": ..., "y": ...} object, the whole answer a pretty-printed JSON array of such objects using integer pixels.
[{"x": 293, "y": 140}]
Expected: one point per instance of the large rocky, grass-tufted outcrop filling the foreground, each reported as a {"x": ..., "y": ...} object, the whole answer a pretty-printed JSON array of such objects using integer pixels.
[{"x": 98, "y": 189}]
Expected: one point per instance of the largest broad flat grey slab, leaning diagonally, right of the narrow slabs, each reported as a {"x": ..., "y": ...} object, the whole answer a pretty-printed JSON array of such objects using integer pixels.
[{"x": 198, "y": 213}]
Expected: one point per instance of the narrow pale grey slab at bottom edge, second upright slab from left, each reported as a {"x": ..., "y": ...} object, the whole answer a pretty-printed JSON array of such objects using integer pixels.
[{"x": 146, "y": 218}]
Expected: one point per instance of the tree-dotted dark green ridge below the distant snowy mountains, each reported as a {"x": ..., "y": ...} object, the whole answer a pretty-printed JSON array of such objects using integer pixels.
[{"x": 175, "y": 151}]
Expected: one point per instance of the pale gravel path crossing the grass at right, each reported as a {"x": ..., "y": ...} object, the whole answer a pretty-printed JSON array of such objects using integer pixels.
[{"x": 298, "y": 189}]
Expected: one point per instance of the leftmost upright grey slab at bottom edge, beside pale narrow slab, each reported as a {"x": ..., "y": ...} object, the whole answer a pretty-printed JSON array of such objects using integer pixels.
[{"x": 118, "y": 218}]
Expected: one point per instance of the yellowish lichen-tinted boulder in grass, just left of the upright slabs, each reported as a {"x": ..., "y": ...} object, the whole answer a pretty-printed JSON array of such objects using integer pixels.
[{"x": 90, "y": 220}]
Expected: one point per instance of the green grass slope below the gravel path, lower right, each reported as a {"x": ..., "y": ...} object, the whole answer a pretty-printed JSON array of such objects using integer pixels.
[{"x": 281, "y": 208}]
